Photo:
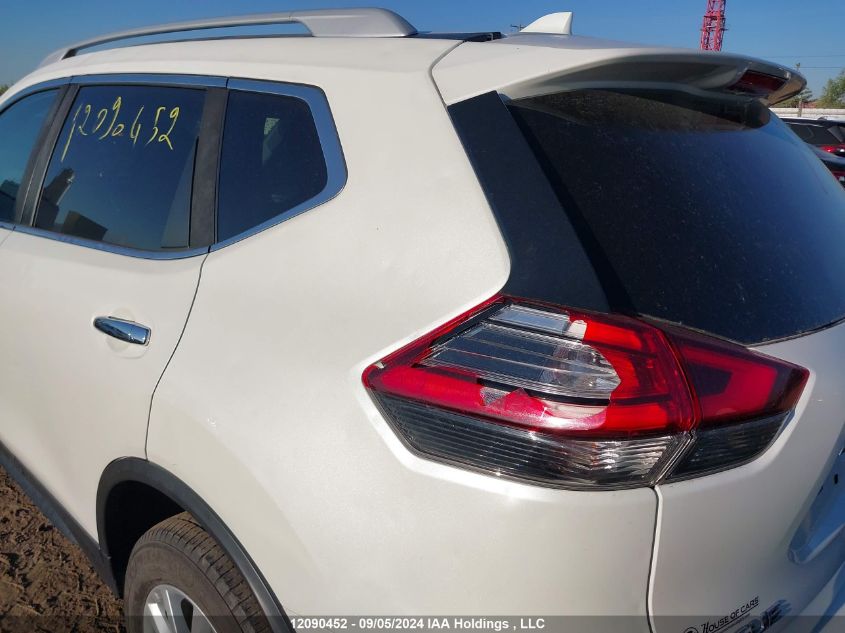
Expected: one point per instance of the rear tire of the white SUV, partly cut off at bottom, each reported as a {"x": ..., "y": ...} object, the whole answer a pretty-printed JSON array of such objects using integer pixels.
[{"x": 178, "y": 559}]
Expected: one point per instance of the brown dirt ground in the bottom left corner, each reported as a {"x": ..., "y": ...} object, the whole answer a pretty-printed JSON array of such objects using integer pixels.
[{"x": 46, "y": 582}]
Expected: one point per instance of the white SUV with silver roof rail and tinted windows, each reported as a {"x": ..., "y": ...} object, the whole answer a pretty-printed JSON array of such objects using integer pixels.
[{"x": 379, "y": 322}]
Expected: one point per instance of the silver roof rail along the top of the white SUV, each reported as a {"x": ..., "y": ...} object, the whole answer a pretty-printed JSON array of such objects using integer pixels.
[{"x": 320, "y": 22}]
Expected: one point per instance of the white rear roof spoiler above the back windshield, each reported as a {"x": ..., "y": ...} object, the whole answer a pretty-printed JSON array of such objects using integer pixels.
[{"x": 530, "y": 64}]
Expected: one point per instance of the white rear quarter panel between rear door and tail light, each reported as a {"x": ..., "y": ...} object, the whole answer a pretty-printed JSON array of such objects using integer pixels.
[{"x": 262, "y": 410}]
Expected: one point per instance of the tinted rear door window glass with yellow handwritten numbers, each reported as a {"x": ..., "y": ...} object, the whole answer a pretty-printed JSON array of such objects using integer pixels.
[{"x": 123, "y": 166}]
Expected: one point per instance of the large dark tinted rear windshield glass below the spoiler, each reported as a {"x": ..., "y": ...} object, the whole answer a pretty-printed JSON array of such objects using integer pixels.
[{"x": 708, "y": 213}]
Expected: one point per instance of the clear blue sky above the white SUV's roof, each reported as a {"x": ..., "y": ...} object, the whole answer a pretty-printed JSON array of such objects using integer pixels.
[{"x": 810, "y": 32}]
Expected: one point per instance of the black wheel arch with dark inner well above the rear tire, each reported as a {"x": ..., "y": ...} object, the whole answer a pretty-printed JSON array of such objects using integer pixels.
[{"x": 135, "y": 494}]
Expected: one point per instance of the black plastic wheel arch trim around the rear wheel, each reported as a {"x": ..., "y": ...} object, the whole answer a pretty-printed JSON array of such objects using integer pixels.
[{"x": 133, "y": 469}]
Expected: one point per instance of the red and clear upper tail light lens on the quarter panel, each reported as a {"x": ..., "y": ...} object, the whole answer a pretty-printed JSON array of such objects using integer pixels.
[{"x": 546, "y": 371}]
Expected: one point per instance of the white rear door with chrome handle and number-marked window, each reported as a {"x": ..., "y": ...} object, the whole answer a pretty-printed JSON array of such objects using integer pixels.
[{"x": 97, "y": 281}]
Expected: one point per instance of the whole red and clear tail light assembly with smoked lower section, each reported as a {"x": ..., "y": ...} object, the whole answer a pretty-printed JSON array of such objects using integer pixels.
[{"x": 582, "y": 400}]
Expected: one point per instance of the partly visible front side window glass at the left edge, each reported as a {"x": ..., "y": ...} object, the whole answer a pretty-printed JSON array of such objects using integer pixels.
[{"x": 19, "y": 128}]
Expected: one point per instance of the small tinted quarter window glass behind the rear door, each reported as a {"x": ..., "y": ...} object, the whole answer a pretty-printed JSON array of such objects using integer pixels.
[{"x": 272, "y": 160}]
